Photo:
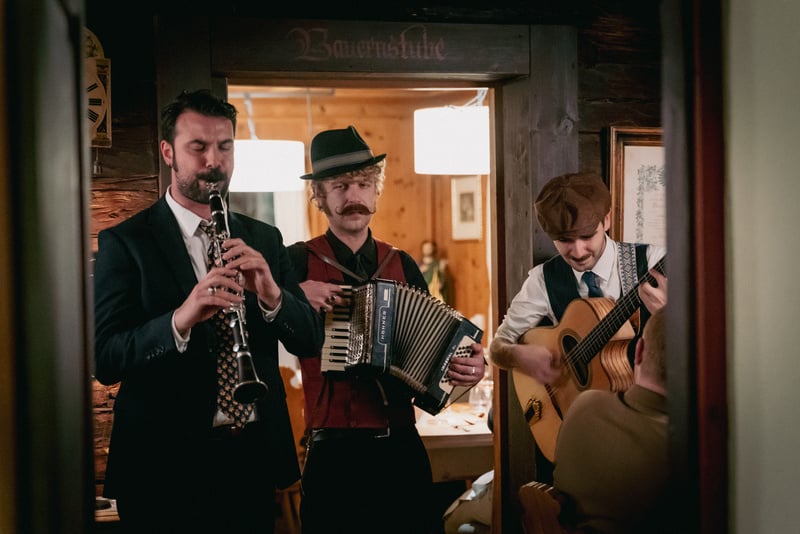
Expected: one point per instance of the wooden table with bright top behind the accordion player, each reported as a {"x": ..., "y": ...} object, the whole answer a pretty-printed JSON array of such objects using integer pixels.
[{"x": 459, "y": 443}]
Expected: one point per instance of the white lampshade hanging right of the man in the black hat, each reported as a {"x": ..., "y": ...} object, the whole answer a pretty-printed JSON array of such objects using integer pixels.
[{"x": 451, "y": 140}]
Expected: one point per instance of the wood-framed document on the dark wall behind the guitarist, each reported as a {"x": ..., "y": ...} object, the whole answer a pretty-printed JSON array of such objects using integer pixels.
[{"x": 637, "y": 182}]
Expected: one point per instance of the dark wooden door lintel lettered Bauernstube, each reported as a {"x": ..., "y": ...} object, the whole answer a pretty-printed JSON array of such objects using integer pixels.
[{"x": 368, "y": 47}]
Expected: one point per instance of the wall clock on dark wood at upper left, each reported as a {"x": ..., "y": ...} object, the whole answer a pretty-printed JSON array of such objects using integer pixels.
[{"x": 97, "y": 77}]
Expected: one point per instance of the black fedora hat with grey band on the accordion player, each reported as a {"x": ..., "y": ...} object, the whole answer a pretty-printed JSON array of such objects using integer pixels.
[{"x": 335, "y": 152}]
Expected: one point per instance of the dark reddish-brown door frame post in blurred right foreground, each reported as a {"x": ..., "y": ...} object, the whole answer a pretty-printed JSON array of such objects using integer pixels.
[{"x": 692, "y": 100}]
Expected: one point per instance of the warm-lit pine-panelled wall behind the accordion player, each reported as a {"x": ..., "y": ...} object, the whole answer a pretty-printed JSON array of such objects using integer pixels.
[{"x": 413, "y": 207}]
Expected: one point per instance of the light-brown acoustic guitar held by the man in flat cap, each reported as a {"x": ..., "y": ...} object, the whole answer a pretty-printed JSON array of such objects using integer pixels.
[{"x": 588, "y": 328}]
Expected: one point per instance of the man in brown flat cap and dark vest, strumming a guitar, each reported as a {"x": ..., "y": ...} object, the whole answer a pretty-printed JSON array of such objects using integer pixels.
[{"x": 574, "y": 210}]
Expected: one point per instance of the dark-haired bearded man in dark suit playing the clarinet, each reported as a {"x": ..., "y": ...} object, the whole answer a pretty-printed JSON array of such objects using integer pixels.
[{"x": 179, "y": 461}]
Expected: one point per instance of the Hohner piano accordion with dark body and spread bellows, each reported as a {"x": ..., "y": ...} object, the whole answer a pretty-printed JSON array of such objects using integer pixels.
[{"x": 389, "y": 327}]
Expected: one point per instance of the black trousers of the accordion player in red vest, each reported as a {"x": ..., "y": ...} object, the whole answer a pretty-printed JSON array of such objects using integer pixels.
[{"x": 364, "y": 484}]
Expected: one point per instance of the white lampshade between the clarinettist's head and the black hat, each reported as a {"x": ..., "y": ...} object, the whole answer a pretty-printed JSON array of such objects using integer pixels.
[{"x": 268, "y": 165}]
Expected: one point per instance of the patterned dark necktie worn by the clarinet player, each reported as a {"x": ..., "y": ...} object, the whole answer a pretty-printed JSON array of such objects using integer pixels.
[{"x": 227, "y": 368}]
